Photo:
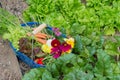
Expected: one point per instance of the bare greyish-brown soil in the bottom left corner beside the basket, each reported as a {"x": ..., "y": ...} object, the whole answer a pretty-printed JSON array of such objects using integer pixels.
[{"x": 9, "y": 67}]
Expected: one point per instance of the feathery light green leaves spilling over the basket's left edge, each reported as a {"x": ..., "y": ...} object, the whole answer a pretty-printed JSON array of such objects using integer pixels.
[{"x": 10, "y": 27}]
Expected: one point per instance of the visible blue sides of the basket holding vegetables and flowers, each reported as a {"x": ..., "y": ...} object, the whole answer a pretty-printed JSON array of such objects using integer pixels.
[{"x": 21, "y": 56}]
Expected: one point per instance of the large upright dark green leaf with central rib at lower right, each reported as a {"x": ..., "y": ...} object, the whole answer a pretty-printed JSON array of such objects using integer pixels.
[{"x": 103, "y": 65}]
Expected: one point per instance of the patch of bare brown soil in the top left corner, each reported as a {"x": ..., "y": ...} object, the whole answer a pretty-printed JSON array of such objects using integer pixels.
[{"x": 14, "y": 6}]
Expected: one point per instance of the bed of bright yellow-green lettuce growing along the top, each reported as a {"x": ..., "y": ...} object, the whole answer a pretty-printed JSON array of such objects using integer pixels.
[{"x": 95, "y": 16}]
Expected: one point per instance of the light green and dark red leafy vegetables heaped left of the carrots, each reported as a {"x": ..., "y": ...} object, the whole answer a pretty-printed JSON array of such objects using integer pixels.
[{"x": 10, "y": 29}]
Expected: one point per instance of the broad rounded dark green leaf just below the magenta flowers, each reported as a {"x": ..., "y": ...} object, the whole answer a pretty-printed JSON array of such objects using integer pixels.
[{"x": 68, "y": 63}]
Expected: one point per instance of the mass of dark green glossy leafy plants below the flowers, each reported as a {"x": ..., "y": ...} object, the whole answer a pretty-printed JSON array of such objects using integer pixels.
[{"x": 91, "y": 63}]
